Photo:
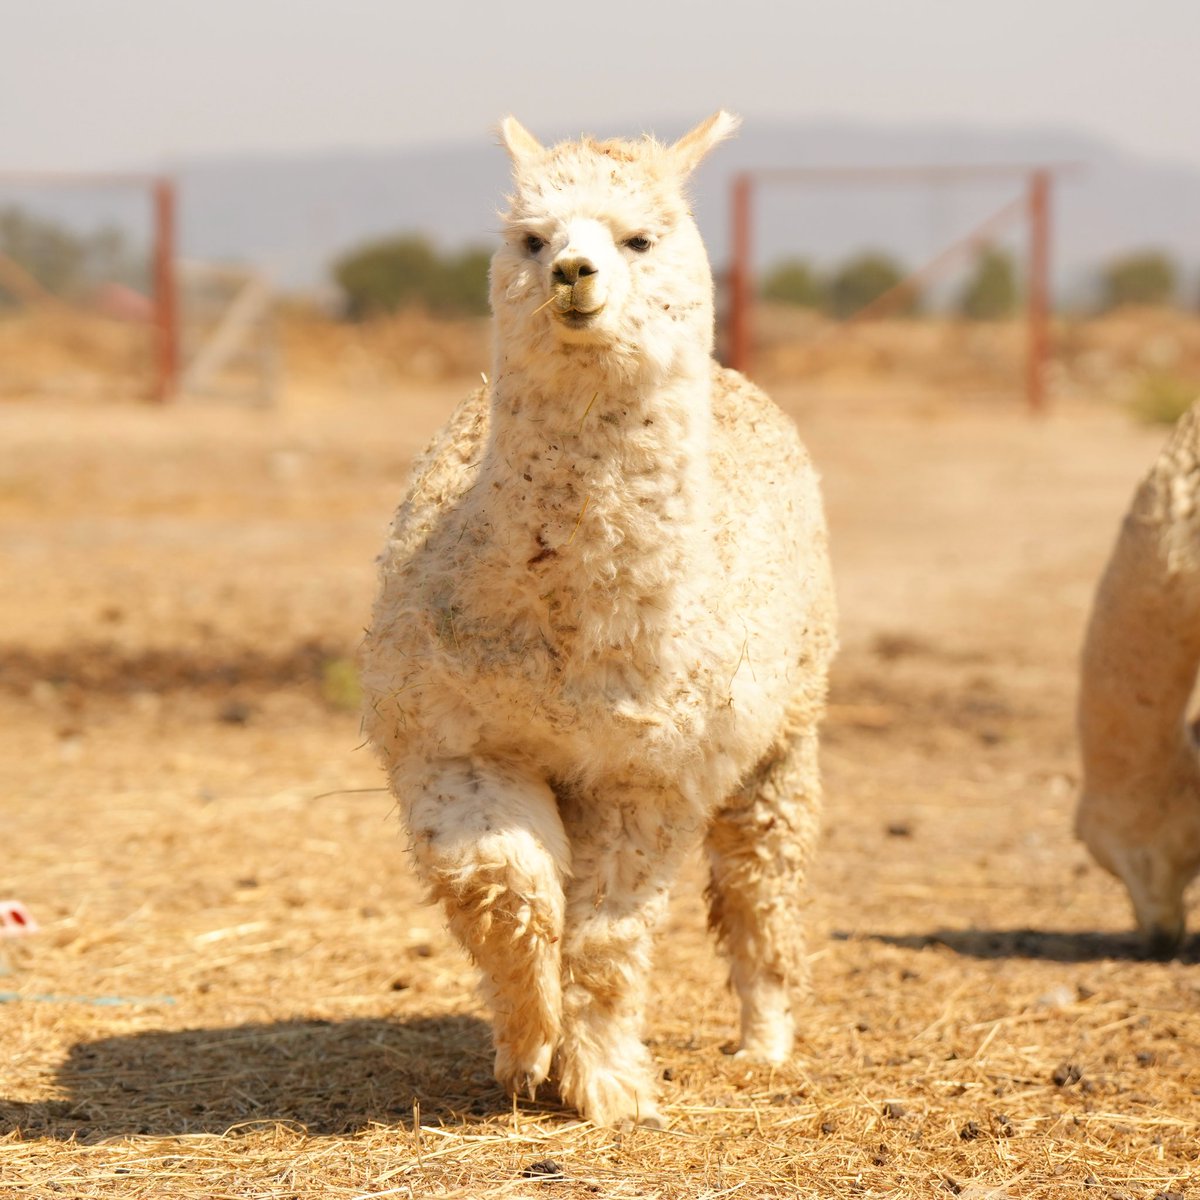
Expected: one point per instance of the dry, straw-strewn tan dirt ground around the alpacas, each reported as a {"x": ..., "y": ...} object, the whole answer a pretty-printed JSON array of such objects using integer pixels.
[{"x": 237, "y": 993}]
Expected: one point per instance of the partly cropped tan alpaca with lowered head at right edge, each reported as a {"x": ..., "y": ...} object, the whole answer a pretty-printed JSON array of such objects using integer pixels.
[{"x": 1139, "y": 813}]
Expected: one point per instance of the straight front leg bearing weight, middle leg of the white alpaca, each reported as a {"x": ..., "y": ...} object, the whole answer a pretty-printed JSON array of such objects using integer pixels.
[{"x": 627, "y": 854}]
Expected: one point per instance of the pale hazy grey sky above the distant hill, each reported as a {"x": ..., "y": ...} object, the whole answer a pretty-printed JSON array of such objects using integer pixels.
[{"x": 104, "y": 83}]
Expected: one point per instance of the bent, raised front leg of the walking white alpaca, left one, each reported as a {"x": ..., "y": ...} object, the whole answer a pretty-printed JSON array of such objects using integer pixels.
[{"x": 489, "y": 843}]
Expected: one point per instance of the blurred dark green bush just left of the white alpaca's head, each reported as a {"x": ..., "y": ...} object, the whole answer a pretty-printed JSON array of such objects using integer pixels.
[{"x": 397, "y": 273}]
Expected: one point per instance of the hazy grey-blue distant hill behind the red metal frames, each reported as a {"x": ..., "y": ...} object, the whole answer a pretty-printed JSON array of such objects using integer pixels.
[{"x": 293, "y": 215}]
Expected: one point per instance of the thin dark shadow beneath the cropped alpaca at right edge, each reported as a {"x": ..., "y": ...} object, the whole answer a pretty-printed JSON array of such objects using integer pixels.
[{"x": 1053, "y": 946}]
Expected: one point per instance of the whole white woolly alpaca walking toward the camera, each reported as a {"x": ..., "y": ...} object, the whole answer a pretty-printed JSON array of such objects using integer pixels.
[{"x": 604, "y": 633}]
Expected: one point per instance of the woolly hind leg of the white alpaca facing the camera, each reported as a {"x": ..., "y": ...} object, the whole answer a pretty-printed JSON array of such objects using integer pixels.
[{"x": 759, "y": 849}]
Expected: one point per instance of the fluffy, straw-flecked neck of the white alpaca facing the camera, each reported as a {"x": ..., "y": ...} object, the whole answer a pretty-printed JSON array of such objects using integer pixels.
[{"x": 597, "y": 493}]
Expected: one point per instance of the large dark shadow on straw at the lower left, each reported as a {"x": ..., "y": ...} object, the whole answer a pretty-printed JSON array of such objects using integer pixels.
[{"x": 329, "y": 1078}]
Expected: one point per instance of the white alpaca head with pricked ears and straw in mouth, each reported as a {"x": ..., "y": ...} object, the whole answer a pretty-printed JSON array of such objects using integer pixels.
[{"x": 602, "y": 257}]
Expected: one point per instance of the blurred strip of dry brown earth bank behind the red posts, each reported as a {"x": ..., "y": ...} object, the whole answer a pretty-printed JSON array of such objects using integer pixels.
[{"x": 1143, "y": 359}]
